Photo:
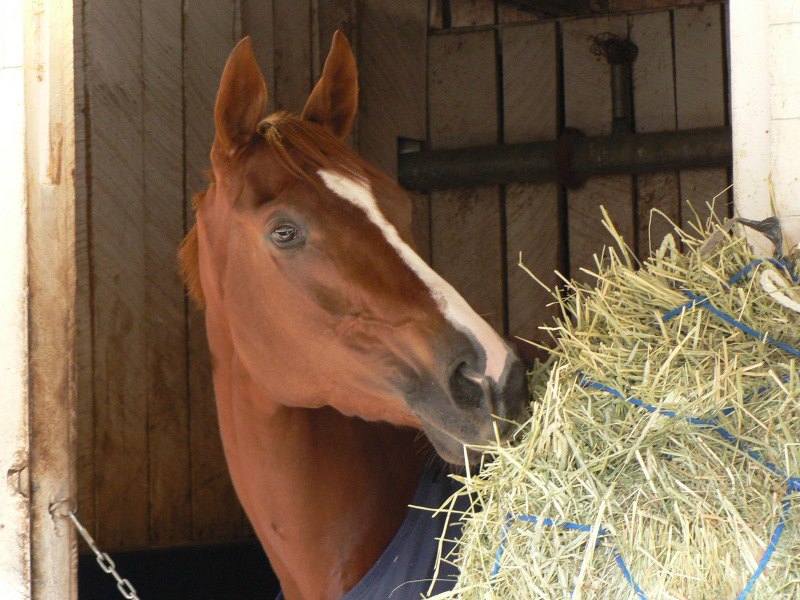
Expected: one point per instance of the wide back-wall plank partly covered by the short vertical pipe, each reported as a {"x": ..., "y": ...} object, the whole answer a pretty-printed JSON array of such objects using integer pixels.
[{"x": 587, "y": 105}]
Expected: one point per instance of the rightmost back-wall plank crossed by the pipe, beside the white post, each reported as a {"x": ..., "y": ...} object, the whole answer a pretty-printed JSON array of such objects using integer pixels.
[{"x": 700, "y": 100}]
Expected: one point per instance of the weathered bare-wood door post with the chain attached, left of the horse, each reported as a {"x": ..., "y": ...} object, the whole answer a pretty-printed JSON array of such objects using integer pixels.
[{"x": 50, "y": 173}]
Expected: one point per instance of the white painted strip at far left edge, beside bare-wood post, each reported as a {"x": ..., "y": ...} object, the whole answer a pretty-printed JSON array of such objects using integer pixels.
[{"x": 14, "y": 503}]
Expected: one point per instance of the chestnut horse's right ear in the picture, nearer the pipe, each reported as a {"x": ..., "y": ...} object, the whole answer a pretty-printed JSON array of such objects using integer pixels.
[{"x": 334, "y": 100}]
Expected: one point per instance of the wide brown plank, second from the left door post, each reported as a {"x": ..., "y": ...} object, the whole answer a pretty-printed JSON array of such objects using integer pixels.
[{"x": 116, "y": 183}]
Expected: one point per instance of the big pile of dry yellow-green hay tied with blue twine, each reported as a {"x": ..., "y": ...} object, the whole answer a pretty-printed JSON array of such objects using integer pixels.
[{"x": 597, "y": 483}]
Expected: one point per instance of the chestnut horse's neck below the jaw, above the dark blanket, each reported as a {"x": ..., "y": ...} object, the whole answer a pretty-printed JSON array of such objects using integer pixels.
[{"x": 325, "y": 493}]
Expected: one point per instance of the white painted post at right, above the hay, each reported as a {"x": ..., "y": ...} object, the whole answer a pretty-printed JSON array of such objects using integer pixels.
[{"x": 765, "y": 110}]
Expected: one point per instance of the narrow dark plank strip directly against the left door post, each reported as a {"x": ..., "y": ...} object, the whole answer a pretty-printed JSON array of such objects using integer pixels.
[{"x": 83, "y": 295}]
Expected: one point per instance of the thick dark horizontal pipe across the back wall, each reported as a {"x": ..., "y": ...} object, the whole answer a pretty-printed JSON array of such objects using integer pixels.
[{"x": 570, "y": 160}]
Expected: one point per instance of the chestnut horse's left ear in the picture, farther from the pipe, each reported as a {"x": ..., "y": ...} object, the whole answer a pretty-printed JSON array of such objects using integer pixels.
[{"x": 241, "y": 100}]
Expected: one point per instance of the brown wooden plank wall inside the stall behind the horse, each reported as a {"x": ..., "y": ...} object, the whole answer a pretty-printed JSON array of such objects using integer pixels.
[{"x": 150, "y": 465}]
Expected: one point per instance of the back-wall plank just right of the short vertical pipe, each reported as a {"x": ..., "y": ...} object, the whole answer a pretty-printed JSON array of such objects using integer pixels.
[{"x": 654, "y": 109}]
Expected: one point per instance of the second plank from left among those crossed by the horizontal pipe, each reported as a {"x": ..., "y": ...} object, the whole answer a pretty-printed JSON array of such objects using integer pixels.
[{"x": 530, "y": 113}]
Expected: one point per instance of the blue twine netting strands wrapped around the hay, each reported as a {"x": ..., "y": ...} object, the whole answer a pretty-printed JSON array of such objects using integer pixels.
[{"x": 793, "y": 483}]
